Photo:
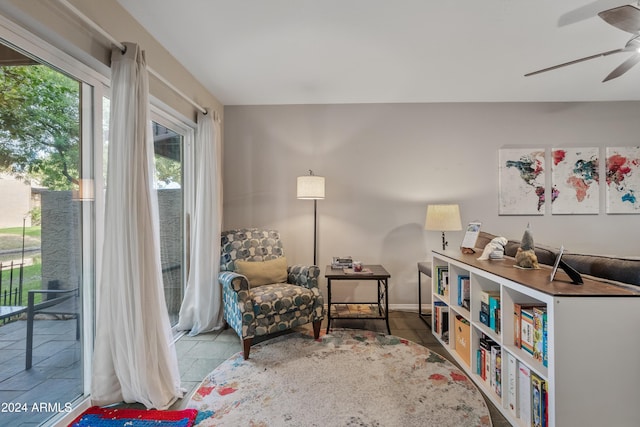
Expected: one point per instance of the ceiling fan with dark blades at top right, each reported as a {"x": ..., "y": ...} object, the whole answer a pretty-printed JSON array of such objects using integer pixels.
[{"x": 625, "y": 18}]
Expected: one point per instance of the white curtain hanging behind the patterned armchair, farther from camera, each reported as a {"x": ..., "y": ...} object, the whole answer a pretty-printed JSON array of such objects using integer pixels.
[{"x": 201, "y": 309}]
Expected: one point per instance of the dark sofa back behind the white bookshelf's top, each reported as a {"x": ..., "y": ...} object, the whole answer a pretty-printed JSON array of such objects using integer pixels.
[{"x": 611, "y": 269}]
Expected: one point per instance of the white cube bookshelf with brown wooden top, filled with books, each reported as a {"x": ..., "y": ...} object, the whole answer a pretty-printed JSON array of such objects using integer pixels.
[{"x": 590, "y": 341}]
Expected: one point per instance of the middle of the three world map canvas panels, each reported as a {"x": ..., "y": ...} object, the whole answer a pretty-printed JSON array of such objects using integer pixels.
[{"x": 575, "y": 181}]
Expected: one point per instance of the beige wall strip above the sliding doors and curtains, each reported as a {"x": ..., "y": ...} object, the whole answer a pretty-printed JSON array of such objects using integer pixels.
[{"x": 54, "y": 23}]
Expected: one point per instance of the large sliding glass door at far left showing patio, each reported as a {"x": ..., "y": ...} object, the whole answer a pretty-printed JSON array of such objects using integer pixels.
[{"x": 46, "y": 236}]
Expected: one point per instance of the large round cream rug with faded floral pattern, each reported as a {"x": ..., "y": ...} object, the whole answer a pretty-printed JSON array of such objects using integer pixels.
[{"x": 346, "y": 378}]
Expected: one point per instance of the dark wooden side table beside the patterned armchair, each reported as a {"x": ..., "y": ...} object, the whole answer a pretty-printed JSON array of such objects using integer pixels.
[{"x": 378, "y": 274}]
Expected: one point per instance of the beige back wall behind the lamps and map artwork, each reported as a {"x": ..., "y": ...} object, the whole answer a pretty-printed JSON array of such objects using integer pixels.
[{"x": 384, "y": 163}]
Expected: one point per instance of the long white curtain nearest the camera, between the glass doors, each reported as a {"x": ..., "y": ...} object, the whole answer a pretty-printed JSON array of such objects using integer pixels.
[{"x": 134, "y": 359}]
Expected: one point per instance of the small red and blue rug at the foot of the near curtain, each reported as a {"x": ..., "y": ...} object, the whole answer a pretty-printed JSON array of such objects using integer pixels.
[{"x": 120, "y": 417}]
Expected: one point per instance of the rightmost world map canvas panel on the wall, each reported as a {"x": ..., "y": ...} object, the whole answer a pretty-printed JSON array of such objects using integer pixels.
[{"x": 623, "y": 179}]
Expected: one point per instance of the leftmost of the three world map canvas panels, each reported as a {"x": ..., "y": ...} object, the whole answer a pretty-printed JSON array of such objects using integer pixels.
[{"x": 522, "y": 181}]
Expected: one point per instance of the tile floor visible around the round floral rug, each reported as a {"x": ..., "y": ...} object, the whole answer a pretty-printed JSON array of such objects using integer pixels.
[{"x": 199, "y": 355}]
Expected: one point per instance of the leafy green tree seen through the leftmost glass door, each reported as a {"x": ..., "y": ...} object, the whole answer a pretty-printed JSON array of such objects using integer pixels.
[{"x": 39, "y": 125}]
